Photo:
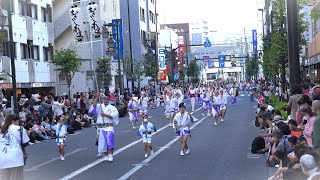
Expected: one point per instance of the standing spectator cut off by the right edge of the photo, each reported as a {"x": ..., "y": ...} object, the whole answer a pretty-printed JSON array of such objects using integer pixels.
[{"x": 316, "y": 126}]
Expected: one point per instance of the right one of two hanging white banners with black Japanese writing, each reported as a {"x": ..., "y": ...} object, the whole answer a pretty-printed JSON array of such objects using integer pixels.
[{"x": 94, "y": 19}]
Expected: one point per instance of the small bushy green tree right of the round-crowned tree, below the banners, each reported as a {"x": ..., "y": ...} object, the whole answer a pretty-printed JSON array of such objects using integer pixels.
[{"x": 104, "y": 70}]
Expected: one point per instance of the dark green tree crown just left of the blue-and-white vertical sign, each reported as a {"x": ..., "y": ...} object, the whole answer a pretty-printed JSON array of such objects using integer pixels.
[{"x": 151, "y": 67}]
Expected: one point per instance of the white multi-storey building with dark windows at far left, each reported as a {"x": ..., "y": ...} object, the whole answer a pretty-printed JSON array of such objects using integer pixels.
[{"x": 33, "y": 47}]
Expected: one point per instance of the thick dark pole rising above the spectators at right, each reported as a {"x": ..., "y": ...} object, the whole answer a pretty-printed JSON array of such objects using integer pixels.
[{"x": 293, "y": 44}]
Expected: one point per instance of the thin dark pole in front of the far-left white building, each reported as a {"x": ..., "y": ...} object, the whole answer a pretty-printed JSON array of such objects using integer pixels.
[{"x": 13, "y": 67}]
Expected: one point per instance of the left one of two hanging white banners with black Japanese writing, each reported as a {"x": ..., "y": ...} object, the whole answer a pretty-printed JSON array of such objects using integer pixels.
[{"x": 77, "y": 20}]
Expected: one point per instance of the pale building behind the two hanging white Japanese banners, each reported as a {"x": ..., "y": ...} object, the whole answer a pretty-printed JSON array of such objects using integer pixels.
[{"x": 64, "y": 38}]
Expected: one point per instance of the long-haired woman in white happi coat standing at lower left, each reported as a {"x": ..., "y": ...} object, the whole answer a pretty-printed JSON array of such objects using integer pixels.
[{"x": 13, "y": 140}]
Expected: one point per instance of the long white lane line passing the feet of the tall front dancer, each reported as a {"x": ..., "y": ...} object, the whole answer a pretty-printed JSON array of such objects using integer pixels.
[{"x": 85, "y": 168}]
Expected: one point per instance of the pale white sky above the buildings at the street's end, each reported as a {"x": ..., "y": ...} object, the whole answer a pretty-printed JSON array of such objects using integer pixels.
[{"x": 225, "y": 16}]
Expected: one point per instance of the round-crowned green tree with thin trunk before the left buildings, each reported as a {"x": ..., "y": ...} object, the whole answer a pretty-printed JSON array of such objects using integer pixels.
[{"x": 67, "y": 63}]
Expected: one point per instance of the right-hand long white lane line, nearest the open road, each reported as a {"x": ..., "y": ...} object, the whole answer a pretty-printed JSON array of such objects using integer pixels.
[{"x": 146, "y": 161}]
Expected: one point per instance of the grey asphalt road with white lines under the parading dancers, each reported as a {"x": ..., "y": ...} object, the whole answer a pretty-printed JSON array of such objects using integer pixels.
[{"x": 217, "y": 152}]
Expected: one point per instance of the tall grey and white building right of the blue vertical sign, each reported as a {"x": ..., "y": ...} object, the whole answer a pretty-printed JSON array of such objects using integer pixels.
[{"x": 142, "y": 17}]
